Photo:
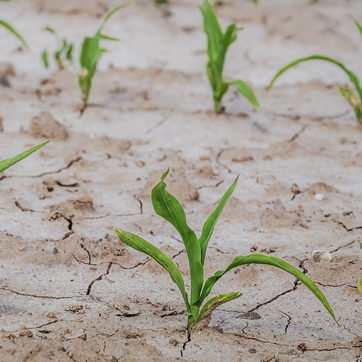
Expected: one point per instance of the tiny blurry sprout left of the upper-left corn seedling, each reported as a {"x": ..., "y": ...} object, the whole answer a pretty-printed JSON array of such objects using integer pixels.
[{"x": 63, "y": 56}]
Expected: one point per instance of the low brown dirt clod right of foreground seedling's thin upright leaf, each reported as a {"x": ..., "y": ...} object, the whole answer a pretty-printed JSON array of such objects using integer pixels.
[{"x": 280, "y": 217}]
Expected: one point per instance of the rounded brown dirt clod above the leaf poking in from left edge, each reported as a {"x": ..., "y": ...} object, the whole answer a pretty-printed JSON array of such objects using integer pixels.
[{"x": 46, "y": 126}]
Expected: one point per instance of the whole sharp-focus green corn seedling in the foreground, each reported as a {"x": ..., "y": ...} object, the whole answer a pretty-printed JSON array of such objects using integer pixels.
[{"x": 169, "y": 208}]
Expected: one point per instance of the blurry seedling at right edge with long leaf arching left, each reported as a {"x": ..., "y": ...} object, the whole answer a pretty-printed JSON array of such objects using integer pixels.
[{"x": 346, "y": 93}]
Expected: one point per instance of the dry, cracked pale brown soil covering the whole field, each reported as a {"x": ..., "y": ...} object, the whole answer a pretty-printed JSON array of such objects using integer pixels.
[{"x": 70, "y": 291}]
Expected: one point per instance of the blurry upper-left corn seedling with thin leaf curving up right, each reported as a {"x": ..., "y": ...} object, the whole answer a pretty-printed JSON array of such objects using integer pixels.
[{"x": 90, "y": 54}]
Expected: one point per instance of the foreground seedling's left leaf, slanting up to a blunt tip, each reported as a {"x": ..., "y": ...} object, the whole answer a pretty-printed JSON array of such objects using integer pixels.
[{"x": 145, "y": 247}]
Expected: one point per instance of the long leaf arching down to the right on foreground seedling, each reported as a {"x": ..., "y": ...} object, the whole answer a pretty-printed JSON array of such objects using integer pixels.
[{"x": 269, "y": 260}]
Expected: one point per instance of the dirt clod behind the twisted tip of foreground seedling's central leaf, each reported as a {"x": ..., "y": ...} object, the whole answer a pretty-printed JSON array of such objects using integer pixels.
[{"x": 177, "y": 185}]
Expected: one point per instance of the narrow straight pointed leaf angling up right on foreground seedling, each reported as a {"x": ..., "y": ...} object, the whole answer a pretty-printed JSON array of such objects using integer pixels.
[{"x": 210, "y": 223}]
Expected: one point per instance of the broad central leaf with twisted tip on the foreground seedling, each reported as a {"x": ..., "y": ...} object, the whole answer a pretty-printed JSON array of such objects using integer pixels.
[{"x": 169, "y": 208}]
